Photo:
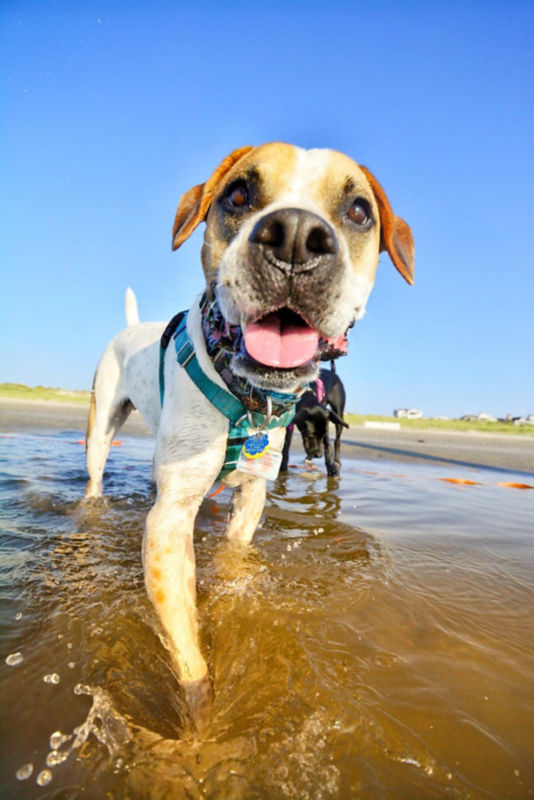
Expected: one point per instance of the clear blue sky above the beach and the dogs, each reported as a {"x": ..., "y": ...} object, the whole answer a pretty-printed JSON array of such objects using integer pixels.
[{"x": 111, "y": 110}]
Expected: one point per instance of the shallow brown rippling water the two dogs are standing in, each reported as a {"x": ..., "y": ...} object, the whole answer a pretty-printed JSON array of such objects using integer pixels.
[{"x": 376, "y": 641}]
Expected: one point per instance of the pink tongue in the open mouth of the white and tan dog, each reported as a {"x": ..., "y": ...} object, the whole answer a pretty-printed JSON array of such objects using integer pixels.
[{"x": 275, "y": 345}]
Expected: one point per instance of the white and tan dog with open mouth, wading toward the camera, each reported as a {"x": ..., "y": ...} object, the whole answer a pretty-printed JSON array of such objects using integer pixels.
[{"x": 291, "y": 246}]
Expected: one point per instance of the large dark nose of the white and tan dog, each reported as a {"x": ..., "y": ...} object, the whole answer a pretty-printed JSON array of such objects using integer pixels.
[{"x": 295, "y": 236}]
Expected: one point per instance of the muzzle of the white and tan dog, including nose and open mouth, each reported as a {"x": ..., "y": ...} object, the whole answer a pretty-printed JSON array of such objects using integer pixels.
[{"x": 293, "y": 264}]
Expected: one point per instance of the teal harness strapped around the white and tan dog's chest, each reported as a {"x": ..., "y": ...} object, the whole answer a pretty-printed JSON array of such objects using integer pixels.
[{"x": 241, "y": 418}]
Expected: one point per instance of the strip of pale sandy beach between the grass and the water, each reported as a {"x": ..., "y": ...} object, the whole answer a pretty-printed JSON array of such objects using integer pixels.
[{"x": 455, "y": 449}]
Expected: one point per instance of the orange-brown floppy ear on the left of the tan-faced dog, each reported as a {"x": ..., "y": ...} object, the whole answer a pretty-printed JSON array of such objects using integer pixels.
[{"x": 194, "y": 204}]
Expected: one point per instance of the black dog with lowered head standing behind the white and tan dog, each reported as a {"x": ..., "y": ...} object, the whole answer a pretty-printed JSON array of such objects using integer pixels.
[{"x": 312, "y": 417}]
